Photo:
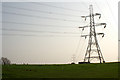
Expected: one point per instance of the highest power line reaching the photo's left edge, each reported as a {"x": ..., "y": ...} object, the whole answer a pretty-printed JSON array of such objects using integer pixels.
[{"x": 42, "y": 11}]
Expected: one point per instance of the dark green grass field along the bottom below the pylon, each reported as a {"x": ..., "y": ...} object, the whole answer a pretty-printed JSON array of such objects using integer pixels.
[{"x": 107, "y": 70}]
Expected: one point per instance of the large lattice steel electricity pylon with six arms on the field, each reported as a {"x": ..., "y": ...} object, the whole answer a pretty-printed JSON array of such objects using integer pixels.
[{"x": 93, "y": 46}]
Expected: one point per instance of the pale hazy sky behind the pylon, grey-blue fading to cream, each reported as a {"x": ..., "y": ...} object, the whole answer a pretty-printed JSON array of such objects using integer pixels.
[{"x": 47, "y": 32}]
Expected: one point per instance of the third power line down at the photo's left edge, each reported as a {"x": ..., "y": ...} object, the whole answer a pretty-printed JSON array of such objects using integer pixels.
[{"x": 37, "y": 24}]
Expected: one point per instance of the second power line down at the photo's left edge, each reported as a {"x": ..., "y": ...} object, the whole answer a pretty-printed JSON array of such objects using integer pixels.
[{"x": 27, "y": 15}]
